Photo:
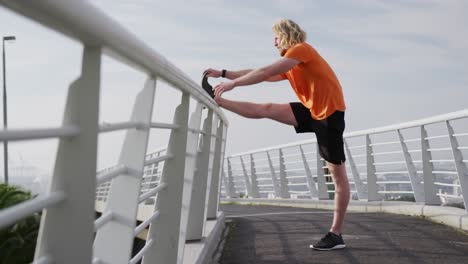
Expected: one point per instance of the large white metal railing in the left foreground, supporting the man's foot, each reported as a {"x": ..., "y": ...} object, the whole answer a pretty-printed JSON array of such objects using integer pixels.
[{"x": 175, "y": 178}]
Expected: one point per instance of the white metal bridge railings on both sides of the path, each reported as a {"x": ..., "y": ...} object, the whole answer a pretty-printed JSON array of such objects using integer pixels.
[{"x": 170, "y": 197}]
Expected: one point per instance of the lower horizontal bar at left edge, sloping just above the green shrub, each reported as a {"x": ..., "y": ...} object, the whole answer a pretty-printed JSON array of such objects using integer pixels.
[{"x": 12, "y": 214}]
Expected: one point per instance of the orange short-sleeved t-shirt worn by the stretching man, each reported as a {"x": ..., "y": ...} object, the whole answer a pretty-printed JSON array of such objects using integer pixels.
[{"x": 314, "y": 82}]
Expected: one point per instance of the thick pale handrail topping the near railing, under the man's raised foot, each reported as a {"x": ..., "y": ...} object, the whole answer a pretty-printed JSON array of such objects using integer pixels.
[{"x": 92, "y": 27}]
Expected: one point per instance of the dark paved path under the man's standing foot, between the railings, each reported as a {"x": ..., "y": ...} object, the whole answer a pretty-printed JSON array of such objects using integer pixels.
[{"x": 273, "y": 235}]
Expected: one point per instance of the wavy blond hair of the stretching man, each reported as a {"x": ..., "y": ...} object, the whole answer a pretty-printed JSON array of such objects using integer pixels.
[{"x": 289, "y": 32}]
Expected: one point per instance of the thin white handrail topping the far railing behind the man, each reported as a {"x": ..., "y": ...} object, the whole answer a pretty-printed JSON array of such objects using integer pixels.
[{"x": 425, "y": 121}]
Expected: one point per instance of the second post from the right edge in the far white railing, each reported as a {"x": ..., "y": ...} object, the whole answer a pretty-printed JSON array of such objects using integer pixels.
[{"x": 430, "y": 194}]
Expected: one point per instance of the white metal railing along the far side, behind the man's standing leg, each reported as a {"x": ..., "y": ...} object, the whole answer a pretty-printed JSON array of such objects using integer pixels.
[{"x": 424, "y": 159}]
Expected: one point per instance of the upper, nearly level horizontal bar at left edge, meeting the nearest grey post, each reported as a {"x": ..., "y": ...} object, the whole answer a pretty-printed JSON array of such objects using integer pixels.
[{"x": 31, "y": 134}]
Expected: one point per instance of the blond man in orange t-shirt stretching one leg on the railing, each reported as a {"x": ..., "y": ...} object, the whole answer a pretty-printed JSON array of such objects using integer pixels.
[{"x": 320, "y": 110}]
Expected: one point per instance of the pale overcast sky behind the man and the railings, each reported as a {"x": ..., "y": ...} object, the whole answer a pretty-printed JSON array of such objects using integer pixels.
[{"x": 396, "y": 60}]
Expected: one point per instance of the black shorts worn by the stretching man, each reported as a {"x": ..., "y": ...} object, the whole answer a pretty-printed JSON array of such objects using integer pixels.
[{"x": 329, "y": 132}]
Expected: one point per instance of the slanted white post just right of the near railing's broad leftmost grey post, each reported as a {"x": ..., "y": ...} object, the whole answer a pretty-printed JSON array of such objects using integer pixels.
[{"x": 114, "y": 240}]
